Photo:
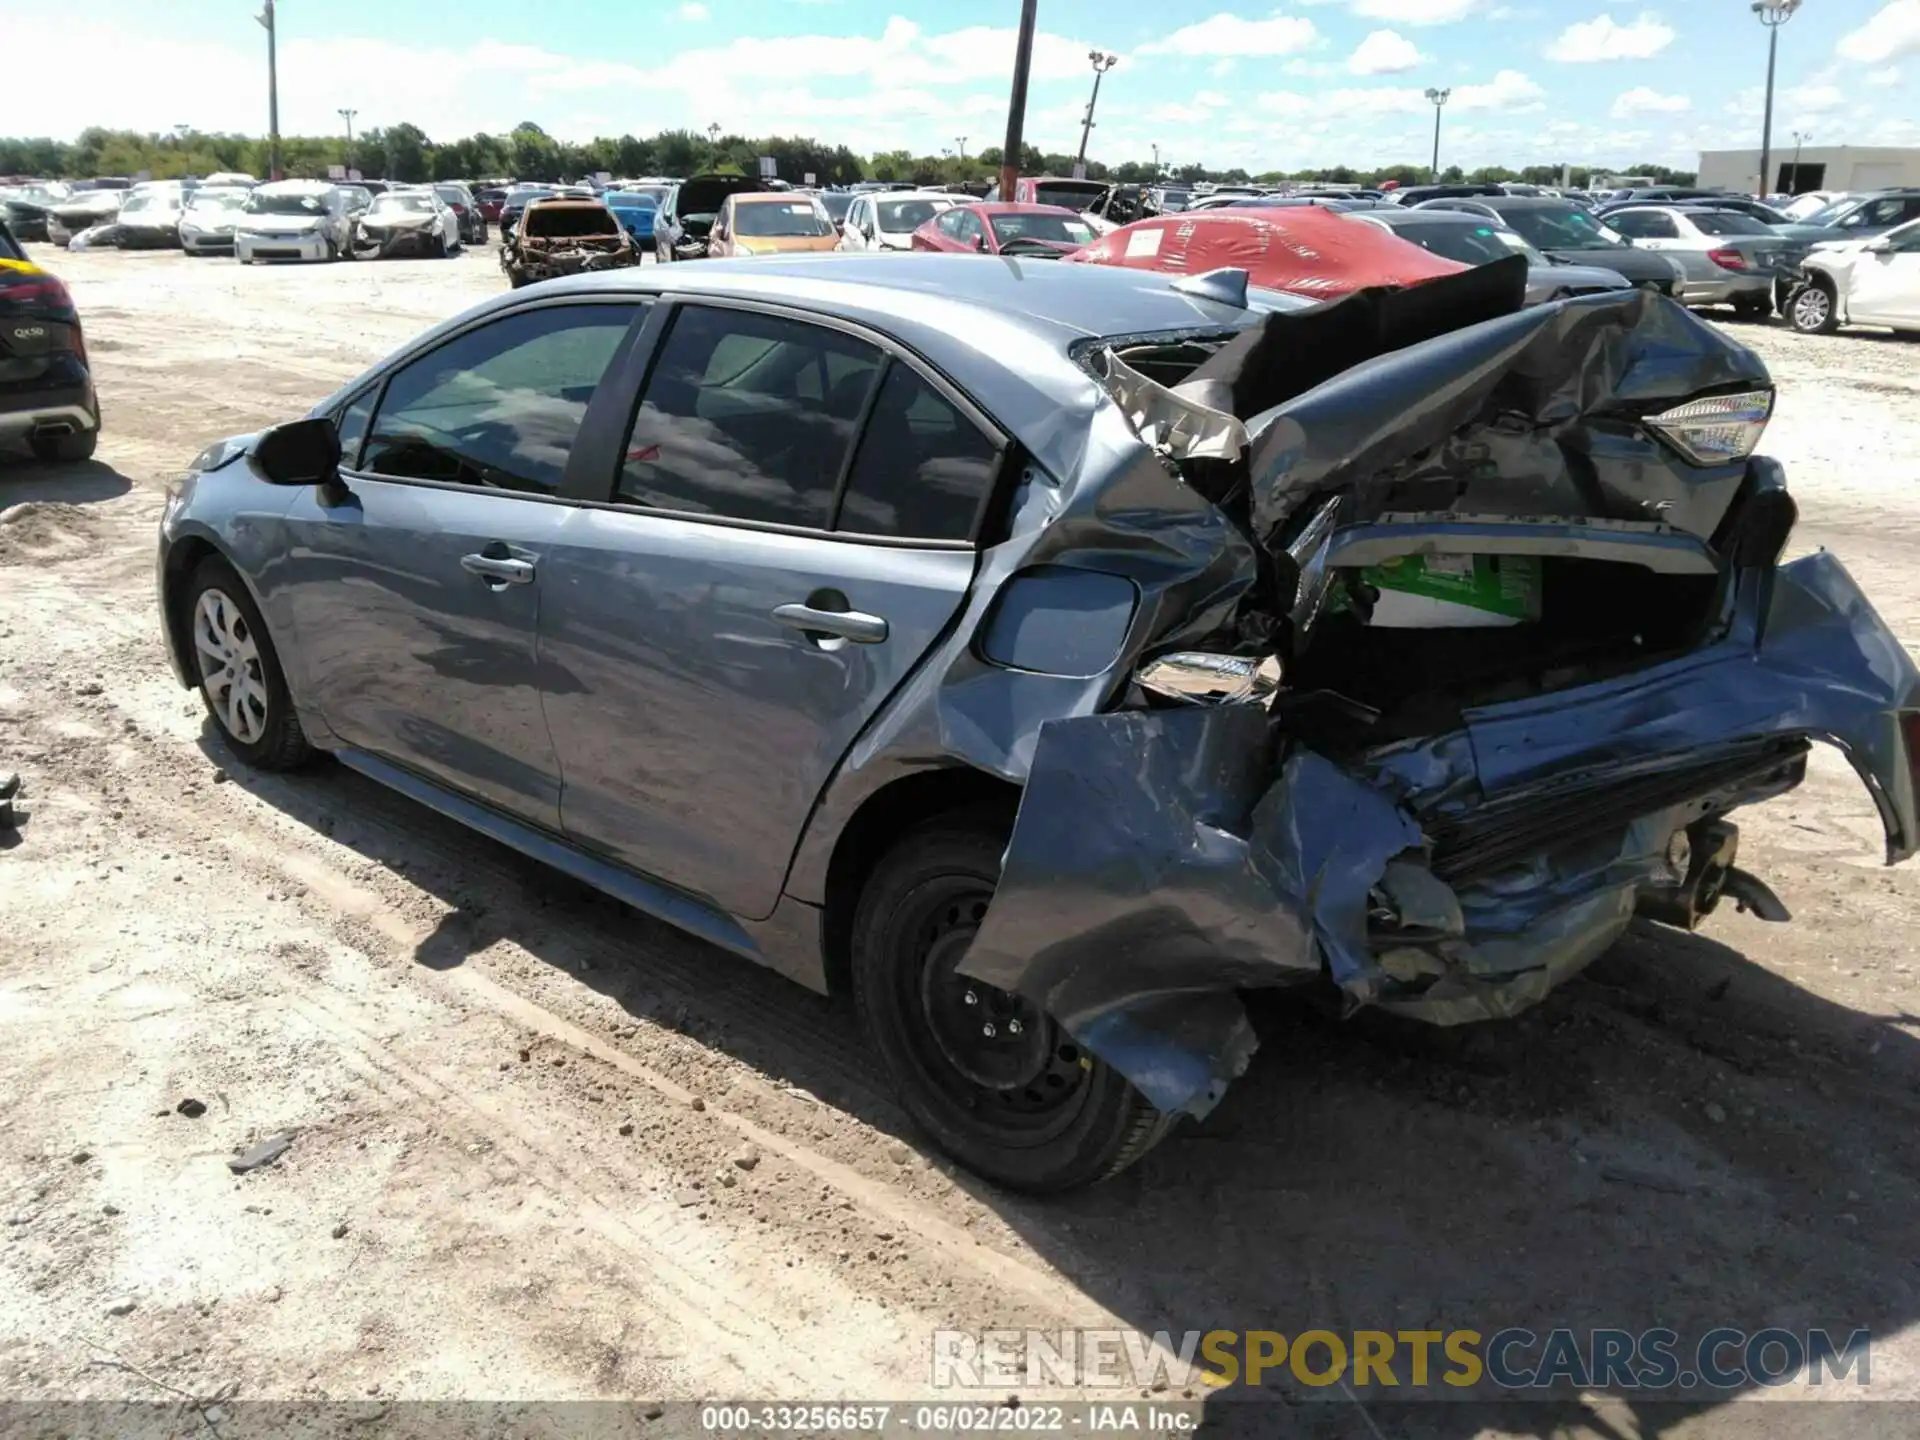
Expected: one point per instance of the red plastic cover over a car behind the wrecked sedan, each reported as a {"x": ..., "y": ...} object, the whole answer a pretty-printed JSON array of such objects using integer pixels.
[{"x": 1301, "y": 249}]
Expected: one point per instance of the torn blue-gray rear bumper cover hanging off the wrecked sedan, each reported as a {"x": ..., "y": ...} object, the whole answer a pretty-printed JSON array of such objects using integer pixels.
[{"x": 1164, "y": 861}]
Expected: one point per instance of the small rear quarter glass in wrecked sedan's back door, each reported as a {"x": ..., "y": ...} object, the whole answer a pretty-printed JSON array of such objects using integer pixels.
[{"x": 923, "y": 469}]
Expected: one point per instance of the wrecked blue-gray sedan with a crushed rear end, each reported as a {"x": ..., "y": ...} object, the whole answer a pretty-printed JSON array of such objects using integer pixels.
[{"x": 1051, "y": 654}]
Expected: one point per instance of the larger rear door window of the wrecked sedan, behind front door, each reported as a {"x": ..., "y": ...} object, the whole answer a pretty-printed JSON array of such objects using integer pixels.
[{"x": 750, "y": 418}]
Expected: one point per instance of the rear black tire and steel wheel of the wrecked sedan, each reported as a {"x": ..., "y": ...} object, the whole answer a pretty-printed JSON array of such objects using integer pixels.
[{"x": 1051, "y": 1118}]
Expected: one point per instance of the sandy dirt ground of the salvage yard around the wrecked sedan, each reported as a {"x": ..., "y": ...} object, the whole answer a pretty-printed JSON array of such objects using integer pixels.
[{"x": 550, "y": 1149}]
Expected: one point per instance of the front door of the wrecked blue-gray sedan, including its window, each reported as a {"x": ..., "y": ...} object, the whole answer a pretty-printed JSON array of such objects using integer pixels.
[{"x": 418, "y": 590}]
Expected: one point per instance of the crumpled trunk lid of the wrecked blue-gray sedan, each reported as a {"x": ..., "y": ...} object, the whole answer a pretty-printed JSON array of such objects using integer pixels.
[{"x": 1537, "y": 414}]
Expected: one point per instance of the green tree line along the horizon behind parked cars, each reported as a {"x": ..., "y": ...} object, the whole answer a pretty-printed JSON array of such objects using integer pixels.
[{"x": 406, "y": 153}]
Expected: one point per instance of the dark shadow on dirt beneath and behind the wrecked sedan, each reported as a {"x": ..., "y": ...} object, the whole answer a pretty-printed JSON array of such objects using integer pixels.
[{"x": 1677, "y": 1140}]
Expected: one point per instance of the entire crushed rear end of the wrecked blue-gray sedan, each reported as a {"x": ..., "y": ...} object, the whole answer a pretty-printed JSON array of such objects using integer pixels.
[{"x": 1489, "y": 642}]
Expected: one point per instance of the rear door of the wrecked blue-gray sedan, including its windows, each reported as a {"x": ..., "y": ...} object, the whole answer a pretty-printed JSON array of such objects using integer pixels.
[{"x": 786, "y": 531}]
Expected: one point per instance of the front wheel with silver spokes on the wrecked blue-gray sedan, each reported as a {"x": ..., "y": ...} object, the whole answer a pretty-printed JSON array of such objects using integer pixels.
[{"x": 241, "y": 677}]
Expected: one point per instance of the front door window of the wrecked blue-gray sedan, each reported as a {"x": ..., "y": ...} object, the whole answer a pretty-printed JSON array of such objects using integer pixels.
[{"x": 498, "y": 406}]
